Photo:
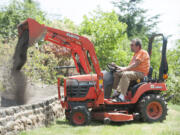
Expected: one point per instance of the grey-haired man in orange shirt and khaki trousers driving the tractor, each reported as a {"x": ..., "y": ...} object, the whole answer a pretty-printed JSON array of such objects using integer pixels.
[{"x": 137, "y": 69}]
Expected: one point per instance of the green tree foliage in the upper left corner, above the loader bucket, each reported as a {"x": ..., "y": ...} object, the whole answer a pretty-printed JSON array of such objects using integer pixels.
[{"x": 16, "y": 12}]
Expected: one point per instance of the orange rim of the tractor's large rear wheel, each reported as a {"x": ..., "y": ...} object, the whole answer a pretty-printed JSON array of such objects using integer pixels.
[{"x": 154, "y": 110}]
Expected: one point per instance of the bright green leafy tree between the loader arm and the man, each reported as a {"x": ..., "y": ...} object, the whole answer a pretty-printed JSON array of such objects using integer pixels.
[{"x": 108, "y": 35}]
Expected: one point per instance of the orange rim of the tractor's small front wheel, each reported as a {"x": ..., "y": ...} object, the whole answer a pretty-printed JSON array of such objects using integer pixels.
[{"x": 78, "y": 118}]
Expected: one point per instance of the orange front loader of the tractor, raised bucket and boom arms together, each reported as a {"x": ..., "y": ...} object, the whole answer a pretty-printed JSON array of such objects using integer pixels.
[{"x": 81, "y": 48}]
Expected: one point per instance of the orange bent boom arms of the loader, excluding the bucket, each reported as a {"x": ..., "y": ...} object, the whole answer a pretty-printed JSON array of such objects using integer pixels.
[{"x": 79, "y": 46}]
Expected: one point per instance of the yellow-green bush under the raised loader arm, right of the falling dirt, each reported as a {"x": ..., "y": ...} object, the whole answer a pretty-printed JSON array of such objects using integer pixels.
[{"x": 40, "y": 66}]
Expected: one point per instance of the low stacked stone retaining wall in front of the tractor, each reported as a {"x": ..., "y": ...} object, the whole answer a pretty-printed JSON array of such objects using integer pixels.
[{"x": 25, "y": 117}]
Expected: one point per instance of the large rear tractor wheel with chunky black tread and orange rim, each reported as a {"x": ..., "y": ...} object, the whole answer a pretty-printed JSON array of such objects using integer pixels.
[{"x": 153, "y": 108}]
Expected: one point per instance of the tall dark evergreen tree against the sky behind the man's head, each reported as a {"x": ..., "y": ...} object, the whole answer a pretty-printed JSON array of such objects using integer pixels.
[{"x": 131, "y": 13}]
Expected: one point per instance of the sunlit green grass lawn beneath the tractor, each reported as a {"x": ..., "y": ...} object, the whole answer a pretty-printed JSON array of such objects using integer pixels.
[{"x": 171, "y": 126}]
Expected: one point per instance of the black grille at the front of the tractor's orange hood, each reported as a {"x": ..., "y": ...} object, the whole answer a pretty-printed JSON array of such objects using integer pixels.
[{"x": 77, "y": 88}]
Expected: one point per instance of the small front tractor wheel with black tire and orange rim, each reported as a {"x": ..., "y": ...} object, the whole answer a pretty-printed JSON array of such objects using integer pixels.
[{"x": 80, "y": 116}]
